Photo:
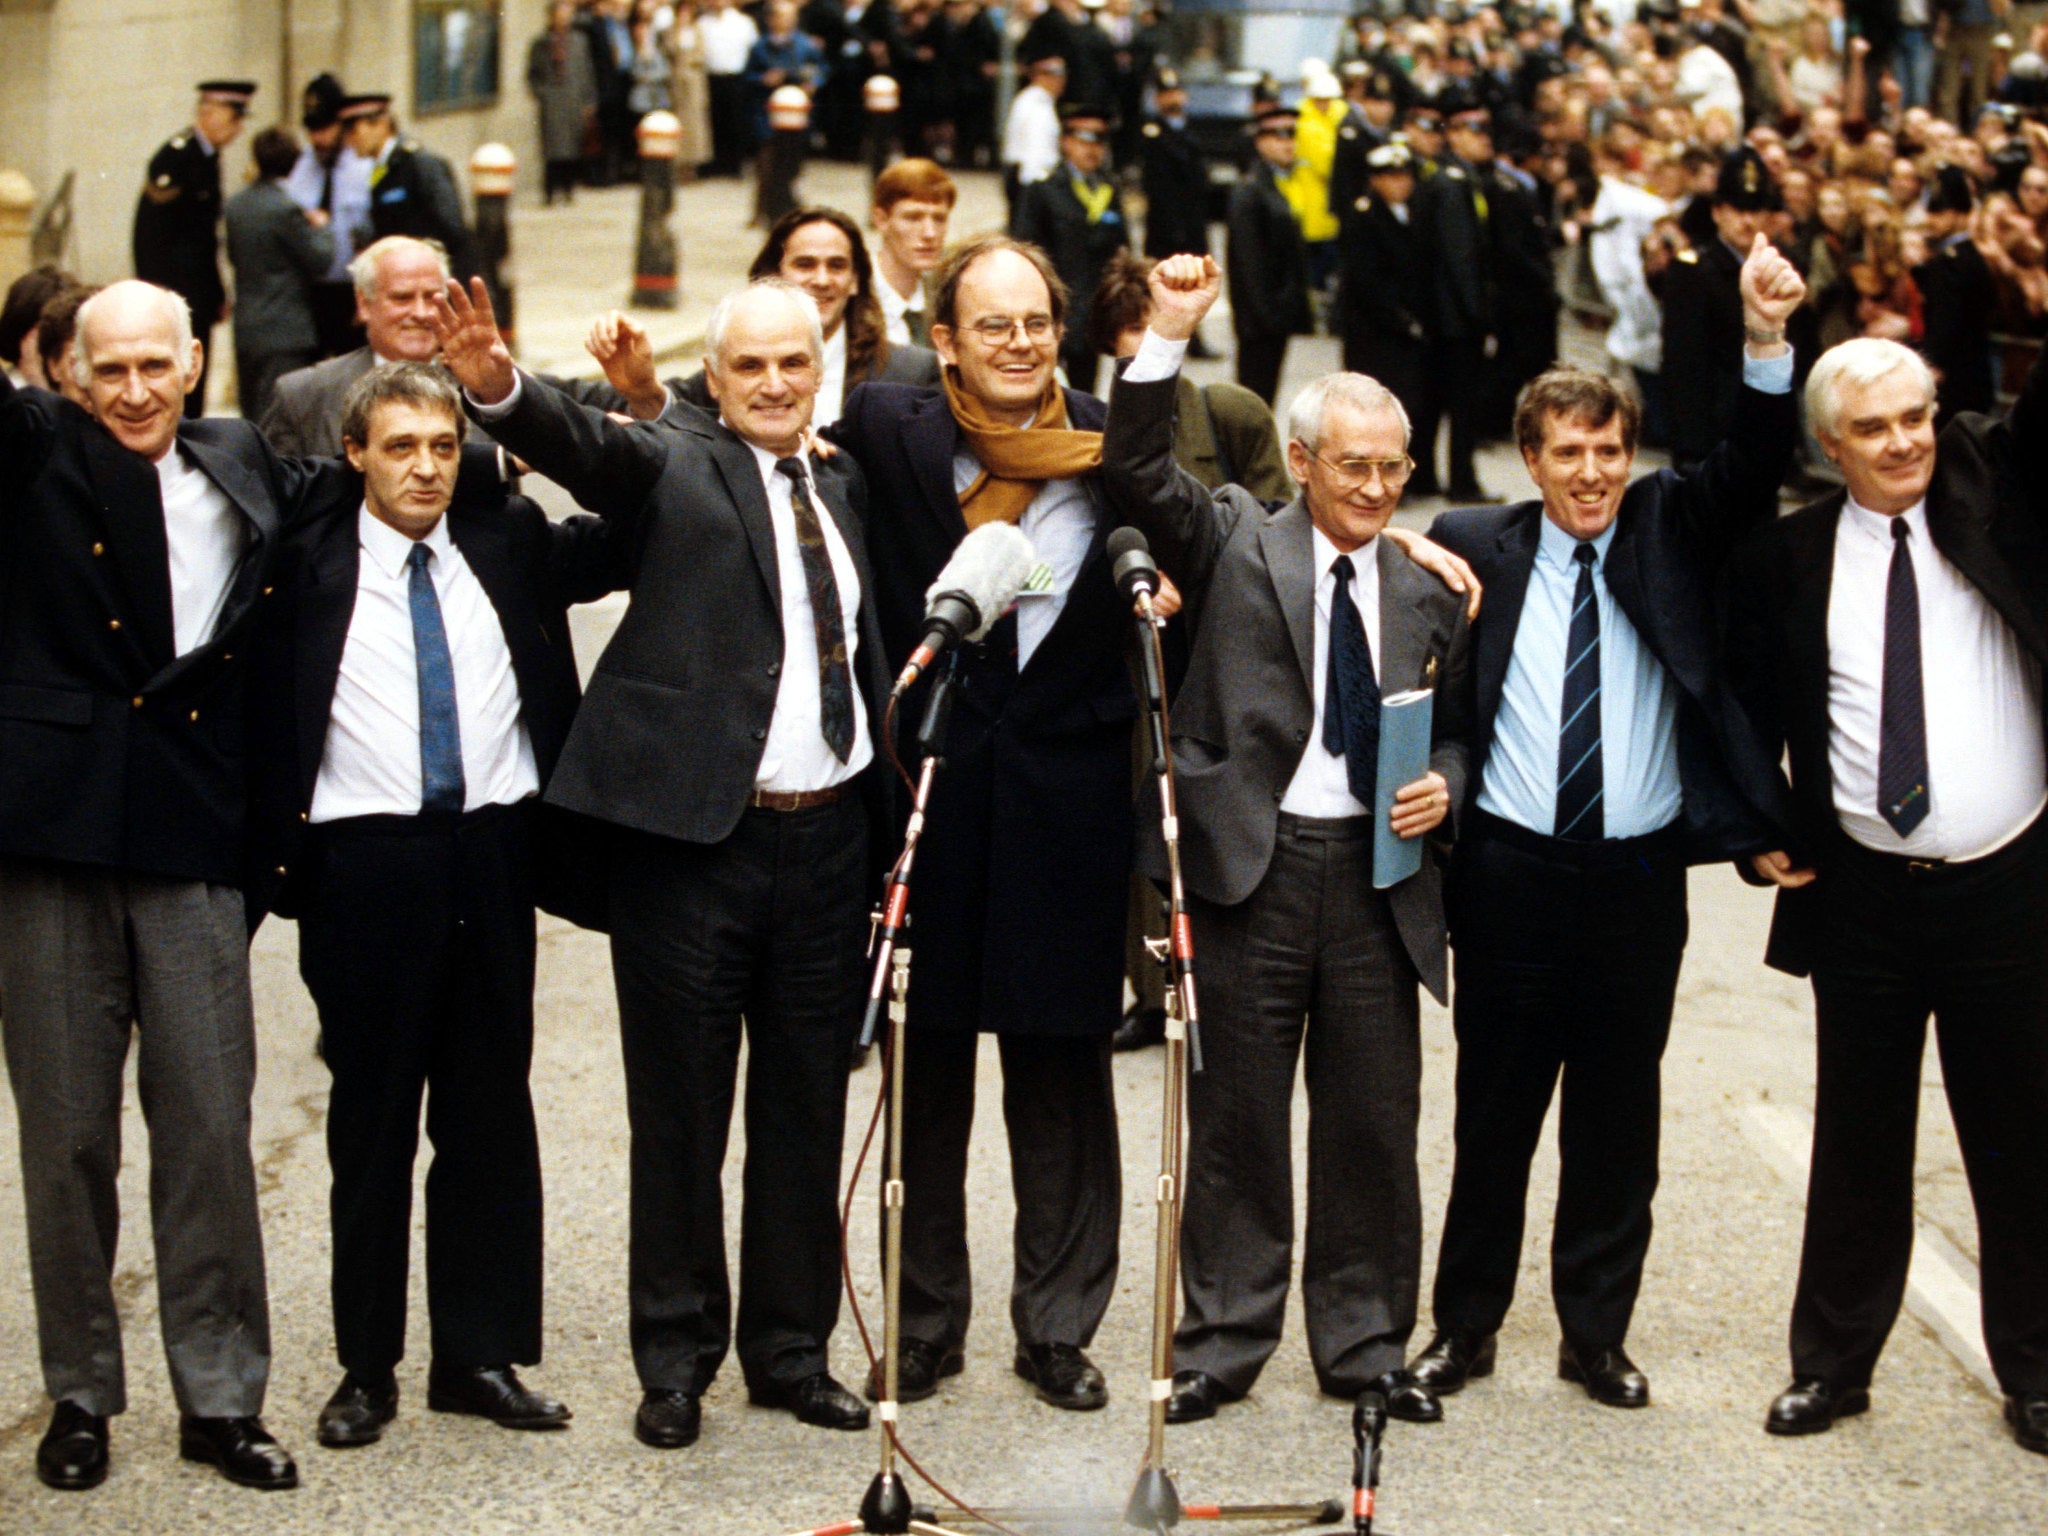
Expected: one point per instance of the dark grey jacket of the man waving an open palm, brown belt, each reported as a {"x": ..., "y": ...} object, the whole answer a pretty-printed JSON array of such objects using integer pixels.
[{"x": 677, "y": 716}]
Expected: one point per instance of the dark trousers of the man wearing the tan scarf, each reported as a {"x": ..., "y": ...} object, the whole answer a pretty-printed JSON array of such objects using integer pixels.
[{"x": 1066, "y": 1179}]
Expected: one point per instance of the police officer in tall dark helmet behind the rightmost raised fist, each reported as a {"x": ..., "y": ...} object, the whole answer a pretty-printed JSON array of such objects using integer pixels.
[{"x": 1703, "y": 310}]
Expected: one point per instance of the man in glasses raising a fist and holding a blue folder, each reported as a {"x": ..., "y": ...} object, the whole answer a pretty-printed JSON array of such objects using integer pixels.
[{"x": 1304, "y": 622}]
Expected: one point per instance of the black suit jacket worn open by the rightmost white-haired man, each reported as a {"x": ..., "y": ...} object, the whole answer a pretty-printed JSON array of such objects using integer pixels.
[{"x": 1988, "y": 513}]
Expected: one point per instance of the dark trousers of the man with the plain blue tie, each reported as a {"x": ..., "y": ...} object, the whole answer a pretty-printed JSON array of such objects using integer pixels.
[{"x": 417, "y": 943}]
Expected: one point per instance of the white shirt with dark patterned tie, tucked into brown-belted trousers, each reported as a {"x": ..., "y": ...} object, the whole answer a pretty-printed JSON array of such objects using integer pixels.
[{"x": 798, "y": 757}]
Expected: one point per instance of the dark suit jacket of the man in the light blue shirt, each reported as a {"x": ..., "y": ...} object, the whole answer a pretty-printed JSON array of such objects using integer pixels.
[{"x": 1672, "y": 542}]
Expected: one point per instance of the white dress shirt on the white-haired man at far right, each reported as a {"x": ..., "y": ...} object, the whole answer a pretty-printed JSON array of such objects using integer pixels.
[{"x": 1988, "y": 767}]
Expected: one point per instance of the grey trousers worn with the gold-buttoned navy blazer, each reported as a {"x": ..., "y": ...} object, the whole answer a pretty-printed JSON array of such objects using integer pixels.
[{"x": 87, "y": 957}]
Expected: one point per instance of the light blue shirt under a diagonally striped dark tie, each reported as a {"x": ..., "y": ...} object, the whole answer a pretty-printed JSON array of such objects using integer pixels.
[{"x": 1637, "y": 697}]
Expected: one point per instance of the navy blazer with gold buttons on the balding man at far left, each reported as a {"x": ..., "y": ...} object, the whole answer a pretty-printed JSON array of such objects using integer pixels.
[{"x": 114, "y": 751}]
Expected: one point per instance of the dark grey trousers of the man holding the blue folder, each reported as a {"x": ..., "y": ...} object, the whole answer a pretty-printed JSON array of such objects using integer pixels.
[{"x": 1310, "y": 968}]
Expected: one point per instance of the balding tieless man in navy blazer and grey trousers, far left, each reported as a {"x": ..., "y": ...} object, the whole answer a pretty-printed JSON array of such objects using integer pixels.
[{"x": 138, "y": 554}]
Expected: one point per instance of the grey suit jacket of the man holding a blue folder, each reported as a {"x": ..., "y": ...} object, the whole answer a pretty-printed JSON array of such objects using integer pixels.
[{"x": 1246, "y": 710}]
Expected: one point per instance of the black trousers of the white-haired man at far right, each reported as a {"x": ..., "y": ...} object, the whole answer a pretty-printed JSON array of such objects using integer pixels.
[{"x": 1902, "y": 943}]
